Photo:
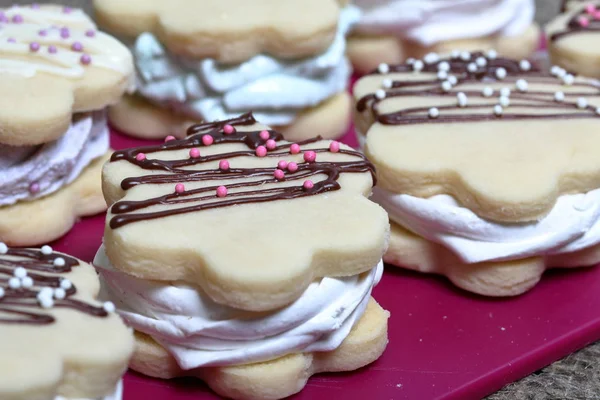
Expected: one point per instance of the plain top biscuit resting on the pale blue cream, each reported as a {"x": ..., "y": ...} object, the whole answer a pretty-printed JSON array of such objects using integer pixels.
[{"x": 230, "y": 31}]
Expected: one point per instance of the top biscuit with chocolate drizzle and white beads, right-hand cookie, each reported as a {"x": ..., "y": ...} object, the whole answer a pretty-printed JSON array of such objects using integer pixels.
[{"x": 502, "y": 137}]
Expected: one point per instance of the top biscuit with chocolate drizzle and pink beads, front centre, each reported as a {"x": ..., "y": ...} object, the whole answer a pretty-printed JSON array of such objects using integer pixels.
[{"x": 248, "y": 217}]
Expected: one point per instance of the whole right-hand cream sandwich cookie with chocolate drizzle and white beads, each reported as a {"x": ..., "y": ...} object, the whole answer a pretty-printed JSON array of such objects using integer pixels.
[{"x": 487, "y": 166}]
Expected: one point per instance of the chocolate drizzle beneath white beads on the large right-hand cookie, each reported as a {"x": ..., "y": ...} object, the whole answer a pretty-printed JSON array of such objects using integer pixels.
[{"x": 471, "y": 78}]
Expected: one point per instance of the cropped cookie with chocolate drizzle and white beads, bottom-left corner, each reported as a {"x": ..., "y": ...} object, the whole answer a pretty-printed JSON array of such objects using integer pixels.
[{"x": 58, "y": 342}]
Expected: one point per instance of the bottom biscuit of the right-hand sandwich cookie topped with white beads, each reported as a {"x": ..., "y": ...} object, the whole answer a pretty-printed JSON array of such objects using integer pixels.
[{"x": 502, "y": 278}]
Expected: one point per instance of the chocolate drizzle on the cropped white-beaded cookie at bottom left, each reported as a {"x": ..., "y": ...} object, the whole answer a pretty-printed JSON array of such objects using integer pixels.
[{"x": 21, "y": 305}]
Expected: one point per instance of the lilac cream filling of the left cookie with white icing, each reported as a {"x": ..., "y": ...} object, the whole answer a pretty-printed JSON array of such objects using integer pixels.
[{"x": 52, "y": 165}]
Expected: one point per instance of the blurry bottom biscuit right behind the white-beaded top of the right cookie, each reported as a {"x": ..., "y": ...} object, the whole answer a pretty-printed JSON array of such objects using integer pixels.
[{"x": 367, "y": 52}]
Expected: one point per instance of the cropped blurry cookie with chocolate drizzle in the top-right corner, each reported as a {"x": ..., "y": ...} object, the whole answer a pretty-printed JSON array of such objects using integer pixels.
[{"x": 573, "y": 39}]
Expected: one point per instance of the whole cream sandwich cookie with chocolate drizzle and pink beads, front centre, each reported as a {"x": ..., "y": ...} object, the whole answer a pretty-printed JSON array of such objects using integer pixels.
[{"x": 243, "y": 259}]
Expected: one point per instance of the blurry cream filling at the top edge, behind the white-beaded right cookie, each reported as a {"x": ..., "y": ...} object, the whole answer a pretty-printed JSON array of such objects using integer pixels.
[{"x": 432, "y": 21}]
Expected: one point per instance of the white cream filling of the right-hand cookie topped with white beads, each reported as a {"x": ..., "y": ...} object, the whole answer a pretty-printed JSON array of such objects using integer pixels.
[{"x": 572, "y": 225}]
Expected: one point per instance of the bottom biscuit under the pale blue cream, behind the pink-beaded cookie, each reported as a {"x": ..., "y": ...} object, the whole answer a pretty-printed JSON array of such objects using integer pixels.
[{"x": 137, "y": 117}]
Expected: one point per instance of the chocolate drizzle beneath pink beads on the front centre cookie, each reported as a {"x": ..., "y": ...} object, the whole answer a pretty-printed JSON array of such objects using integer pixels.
[{"x": 245, "y": 184}]
